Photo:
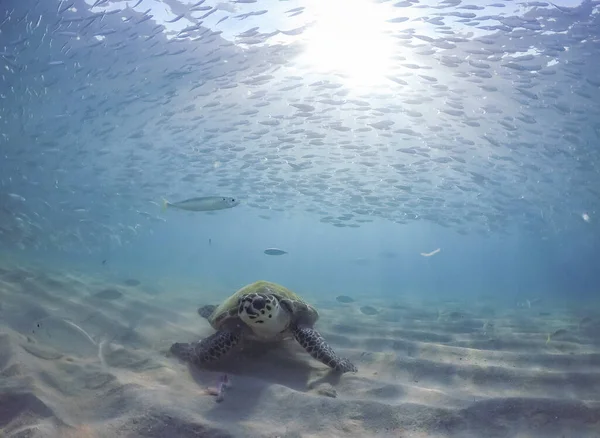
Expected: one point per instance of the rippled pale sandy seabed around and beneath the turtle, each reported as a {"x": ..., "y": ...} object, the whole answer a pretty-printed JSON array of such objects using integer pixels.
[{"x": 83, "y": 356}]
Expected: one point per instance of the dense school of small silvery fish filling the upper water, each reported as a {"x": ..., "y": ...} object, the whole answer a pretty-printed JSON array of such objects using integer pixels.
[{"x": 488, "y": 120}]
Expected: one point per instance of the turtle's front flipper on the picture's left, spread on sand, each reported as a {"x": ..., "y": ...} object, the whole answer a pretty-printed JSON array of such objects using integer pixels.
[{"x": 207, "y": 350}]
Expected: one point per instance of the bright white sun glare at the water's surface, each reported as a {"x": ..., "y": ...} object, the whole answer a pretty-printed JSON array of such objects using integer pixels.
[{"x": 349, "y": 38}]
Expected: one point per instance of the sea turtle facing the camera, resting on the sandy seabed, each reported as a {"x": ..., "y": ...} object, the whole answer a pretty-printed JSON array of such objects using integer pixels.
[{"x": 261, "y": 311}]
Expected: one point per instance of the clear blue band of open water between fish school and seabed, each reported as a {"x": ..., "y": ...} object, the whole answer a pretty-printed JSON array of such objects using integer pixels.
[{"x": 379, "y": 259}]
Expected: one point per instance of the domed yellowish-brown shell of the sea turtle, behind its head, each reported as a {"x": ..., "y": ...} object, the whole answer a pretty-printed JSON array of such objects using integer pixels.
[{"x": 228, "y": 310}]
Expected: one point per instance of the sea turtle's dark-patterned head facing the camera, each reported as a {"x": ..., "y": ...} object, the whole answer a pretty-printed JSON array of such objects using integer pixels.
[{"x": 263, "y": 313}]
